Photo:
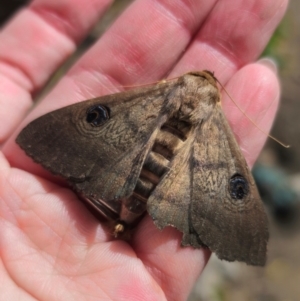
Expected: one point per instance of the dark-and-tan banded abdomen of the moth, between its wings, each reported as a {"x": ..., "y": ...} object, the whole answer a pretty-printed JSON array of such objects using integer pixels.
[{"x": 170, "y": 138}]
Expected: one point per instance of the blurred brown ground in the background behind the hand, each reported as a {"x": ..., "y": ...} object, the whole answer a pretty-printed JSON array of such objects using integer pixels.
[{"x": 280, "y": 279}]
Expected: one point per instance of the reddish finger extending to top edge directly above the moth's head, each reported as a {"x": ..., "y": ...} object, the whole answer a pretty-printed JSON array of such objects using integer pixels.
[{"x": 234, "y": 34}]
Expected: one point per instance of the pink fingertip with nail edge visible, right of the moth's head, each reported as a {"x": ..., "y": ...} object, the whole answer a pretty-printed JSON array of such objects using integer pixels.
[{"x": 256, "y": 90}]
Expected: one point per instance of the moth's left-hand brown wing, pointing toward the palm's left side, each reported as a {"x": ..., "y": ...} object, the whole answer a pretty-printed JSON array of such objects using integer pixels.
[{"x": 101, "y": 161}]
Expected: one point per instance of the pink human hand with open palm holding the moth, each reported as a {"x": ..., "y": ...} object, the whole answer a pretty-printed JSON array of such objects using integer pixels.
[{"x": 51, "y": 247}]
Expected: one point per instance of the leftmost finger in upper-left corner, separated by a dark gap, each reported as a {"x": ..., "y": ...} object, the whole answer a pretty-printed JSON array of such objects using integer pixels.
[{"x": 33, "y": 45}]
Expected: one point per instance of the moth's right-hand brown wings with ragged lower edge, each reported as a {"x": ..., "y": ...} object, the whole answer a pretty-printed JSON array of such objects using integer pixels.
[{"x": 232, "y": 226}]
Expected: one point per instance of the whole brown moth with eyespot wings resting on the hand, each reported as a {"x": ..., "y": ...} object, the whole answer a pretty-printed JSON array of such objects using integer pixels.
[{"x": 166, "y": 149}]
